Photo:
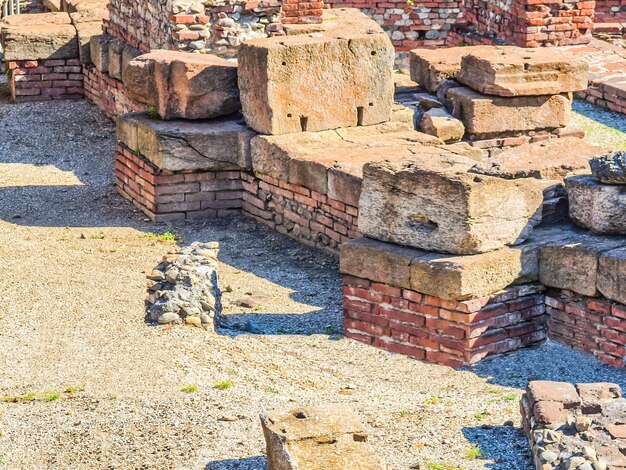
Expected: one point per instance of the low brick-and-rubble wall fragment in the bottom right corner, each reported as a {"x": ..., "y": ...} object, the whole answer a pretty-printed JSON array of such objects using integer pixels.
[{"x": 575, "y": 427}]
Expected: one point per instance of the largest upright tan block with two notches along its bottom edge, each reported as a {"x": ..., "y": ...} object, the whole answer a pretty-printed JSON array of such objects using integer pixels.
[{"x": 338, "y": 77}]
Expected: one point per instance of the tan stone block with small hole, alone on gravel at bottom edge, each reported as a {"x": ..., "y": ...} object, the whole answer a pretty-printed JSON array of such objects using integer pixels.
[{"x": 325, "y": 437}]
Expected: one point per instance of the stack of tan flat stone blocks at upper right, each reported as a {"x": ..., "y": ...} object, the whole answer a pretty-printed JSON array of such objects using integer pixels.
[{"x": 501, "y": 92}]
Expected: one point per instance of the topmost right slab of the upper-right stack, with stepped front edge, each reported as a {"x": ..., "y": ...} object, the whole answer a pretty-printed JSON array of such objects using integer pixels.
[{"x": 516, "y": 71}]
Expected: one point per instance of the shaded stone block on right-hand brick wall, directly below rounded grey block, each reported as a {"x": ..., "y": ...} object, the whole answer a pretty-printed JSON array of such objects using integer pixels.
[{"x": 573, "y": 264}]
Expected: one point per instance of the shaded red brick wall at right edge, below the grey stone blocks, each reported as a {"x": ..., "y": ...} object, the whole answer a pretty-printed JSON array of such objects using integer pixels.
[{"x": 593, "y": 325}]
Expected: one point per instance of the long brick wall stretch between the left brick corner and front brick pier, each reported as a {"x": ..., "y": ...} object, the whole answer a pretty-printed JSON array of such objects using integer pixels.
[{"x": 312, "y": 218}]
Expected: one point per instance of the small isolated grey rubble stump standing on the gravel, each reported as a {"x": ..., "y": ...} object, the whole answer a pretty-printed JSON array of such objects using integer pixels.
[{"x": 184, "y": 287}]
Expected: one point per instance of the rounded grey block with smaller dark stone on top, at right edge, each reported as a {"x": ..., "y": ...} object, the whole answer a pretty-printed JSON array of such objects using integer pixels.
[{"x": 597, "y": 202}]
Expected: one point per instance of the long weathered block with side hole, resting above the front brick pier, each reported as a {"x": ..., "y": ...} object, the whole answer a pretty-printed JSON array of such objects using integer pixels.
[{"x": 440, "y": 209}]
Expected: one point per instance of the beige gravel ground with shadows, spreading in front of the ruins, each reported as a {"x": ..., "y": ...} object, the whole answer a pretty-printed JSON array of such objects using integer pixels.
[{"x": 94, "y": 386}]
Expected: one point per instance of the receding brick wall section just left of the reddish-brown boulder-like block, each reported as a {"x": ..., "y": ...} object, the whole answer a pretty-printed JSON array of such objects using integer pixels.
[{"x": 107, "y": 93}]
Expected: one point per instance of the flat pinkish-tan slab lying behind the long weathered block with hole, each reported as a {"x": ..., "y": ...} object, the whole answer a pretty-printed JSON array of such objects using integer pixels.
[{"x": 553, "y": 160}]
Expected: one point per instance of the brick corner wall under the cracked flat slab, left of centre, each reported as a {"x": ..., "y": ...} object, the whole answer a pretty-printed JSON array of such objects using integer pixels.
[{"x": 166, "y": 196}]
